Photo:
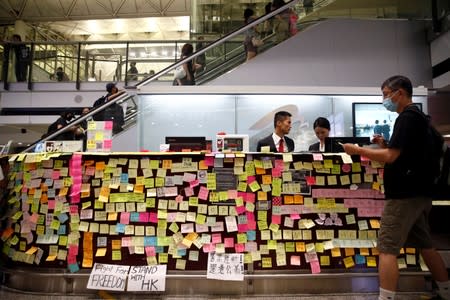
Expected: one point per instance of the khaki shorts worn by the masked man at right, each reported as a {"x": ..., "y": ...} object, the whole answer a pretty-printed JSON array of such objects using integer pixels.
[{"x": 404, "y": 223}]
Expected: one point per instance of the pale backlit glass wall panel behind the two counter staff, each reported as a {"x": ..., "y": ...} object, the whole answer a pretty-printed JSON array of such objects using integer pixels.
[{"x": 206, "y": 115}]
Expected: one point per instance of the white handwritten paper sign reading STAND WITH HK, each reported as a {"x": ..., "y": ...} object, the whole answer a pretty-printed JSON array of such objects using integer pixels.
[{"x": 147, "y": 278}]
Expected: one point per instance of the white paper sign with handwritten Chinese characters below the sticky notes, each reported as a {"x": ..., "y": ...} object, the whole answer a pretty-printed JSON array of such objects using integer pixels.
[{"x": 226, "y": 266}]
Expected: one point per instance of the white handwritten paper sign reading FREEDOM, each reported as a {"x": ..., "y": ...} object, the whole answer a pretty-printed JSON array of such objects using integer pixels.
[{"x": 108, "y": 277}]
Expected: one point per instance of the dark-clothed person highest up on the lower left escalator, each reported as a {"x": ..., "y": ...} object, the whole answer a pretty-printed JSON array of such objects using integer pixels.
[{"x": 114, "y": 112}]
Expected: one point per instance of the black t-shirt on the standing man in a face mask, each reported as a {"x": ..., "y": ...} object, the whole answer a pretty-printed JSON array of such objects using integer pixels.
[{"x": 410, "y": 174}]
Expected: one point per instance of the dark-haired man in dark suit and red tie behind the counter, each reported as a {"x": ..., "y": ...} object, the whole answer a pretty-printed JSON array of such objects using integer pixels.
[{"x": 278, "y": 141}]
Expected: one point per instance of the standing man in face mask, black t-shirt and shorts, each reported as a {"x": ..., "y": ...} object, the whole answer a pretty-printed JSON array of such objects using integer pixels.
[{"x": 407, "y": 182}]
